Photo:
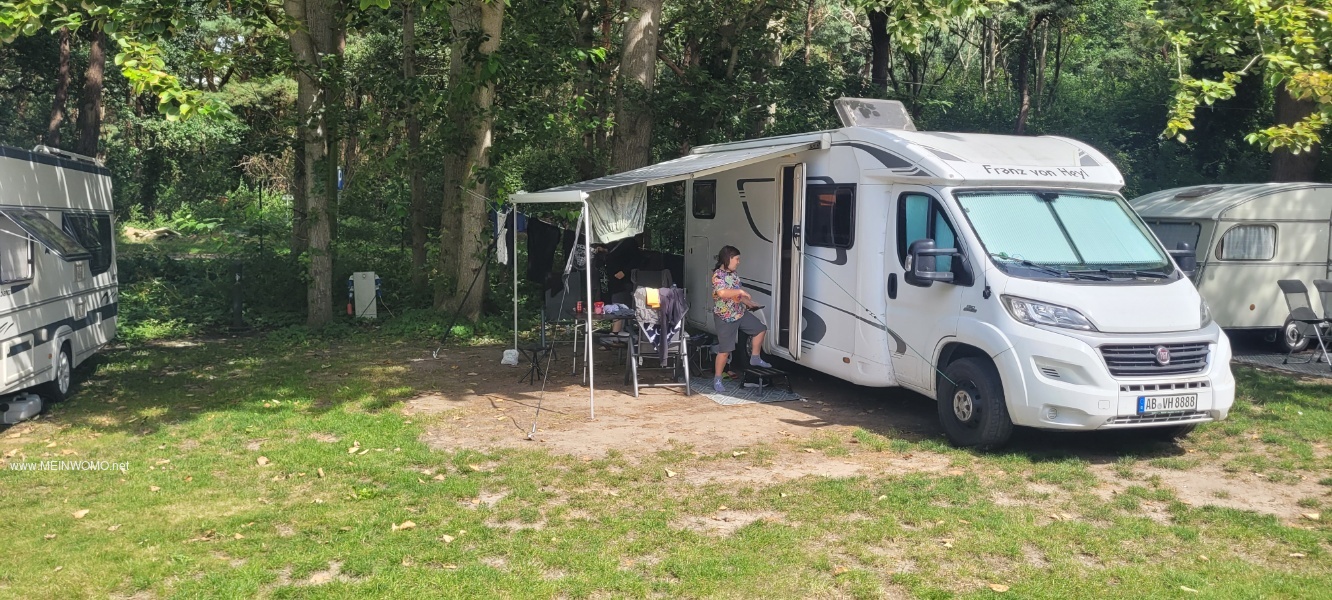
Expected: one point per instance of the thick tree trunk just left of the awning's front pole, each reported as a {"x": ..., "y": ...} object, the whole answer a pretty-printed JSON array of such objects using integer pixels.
[{"x": 478, "y": 27}]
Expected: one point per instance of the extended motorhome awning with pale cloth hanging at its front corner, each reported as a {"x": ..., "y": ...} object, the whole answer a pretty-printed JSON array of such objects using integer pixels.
[{"x": 619, "y": 202}]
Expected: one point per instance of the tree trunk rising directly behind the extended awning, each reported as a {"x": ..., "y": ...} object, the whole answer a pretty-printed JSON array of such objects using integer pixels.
[{"x": 632, "y": 146}]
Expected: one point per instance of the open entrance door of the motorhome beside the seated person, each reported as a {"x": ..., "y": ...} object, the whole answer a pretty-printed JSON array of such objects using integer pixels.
[{"x": 789, "y": 287}]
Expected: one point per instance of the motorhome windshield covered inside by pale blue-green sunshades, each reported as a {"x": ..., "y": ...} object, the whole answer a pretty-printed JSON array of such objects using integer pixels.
[{"x": 1057, "y": 234}]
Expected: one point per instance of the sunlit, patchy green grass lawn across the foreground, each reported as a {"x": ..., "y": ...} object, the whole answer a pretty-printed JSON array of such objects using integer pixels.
[{"x": 284, "y": 467}]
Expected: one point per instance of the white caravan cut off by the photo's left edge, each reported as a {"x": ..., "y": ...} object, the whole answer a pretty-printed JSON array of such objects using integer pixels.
[{"x": 58, "y": 273}]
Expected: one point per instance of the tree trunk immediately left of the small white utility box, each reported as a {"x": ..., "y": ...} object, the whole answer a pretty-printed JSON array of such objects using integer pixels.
[{"x": 312, "y": 43}]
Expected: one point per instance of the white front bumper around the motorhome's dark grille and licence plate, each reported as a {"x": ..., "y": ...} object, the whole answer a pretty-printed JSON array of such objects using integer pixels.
[{"x": 1066, "y": 385}]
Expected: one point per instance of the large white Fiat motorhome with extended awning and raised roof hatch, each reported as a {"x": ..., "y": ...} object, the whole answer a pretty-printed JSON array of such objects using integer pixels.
[{"x": 1002, "y": 275}]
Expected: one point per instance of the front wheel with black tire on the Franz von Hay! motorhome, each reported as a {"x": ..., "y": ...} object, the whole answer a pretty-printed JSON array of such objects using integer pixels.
[{"x": 972, "y": 406}]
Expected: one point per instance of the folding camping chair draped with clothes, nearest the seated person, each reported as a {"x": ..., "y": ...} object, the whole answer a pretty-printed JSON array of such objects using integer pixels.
[{"x": 647, "y": 347}]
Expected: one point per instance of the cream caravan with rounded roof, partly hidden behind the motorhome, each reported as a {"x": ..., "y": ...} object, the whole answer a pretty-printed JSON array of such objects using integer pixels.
[{"x": 1249, "y": 237}]
